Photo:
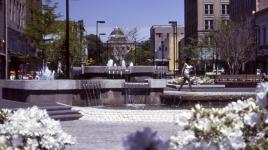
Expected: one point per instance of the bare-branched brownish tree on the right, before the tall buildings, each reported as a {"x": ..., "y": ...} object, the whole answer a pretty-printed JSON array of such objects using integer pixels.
[{"x": 234, "y": 43}]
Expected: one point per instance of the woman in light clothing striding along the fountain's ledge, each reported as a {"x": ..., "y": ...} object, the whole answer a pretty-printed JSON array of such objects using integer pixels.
[{"x": 186, "y": 73}]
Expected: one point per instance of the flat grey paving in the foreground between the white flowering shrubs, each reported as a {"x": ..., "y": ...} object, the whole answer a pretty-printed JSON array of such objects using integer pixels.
[{"x": 110, "y": 136}]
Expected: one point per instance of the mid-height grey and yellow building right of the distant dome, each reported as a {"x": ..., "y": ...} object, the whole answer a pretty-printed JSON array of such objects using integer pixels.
[{"x": 162, "y": 42}]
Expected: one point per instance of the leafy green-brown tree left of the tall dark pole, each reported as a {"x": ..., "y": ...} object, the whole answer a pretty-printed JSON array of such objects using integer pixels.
[{"x": 41, "y": 24}]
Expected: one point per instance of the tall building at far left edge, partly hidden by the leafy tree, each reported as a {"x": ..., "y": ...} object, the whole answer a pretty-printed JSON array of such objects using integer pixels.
[{"x": 16, "y": 16}]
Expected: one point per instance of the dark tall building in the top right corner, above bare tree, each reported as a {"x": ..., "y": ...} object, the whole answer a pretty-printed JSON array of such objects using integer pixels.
[{"x": 242, "y": 9}]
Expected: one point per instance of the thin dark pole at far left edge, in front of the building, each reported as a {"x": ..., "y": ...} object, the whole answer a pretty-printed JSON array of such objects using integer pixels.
[{"x": 6, "y": 41}]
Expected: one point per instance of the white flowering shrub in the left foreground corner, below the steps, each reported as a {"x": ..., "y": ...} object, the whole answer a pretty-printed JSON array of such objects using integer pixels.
[{"x": 31, "y": 129}]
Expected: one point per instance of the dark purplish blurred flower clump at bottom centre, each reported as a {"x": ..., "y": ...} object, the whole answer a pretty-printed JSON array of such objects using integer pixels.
[{"x": 145, "y": 140}]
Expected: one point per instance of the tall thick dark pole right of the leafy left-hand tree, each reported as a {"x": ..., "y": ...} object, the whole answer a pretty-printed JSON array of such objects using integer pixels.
[{"x": 67, "y": 42}]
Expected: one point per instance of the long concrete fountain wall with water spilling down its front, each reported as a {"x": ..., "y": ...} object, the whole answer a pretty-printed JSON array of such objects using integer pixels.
[{"x": 72, "y": 92}]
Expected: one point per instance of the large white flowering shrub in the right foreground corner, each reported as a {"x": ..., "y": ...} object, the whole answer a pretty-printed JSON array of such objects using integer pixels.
[{"x": 239, "y": 125}]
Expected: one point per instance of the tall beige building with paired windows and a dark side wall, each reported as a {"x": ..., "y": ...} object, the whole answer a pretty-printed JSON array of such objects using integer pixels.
[{"x": 203, "y": 16}]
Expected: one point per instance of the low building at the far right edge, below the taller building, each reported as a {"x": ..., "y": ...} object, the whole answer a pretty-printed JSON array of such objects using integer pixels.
[{"x": 261, "y": 22}]
